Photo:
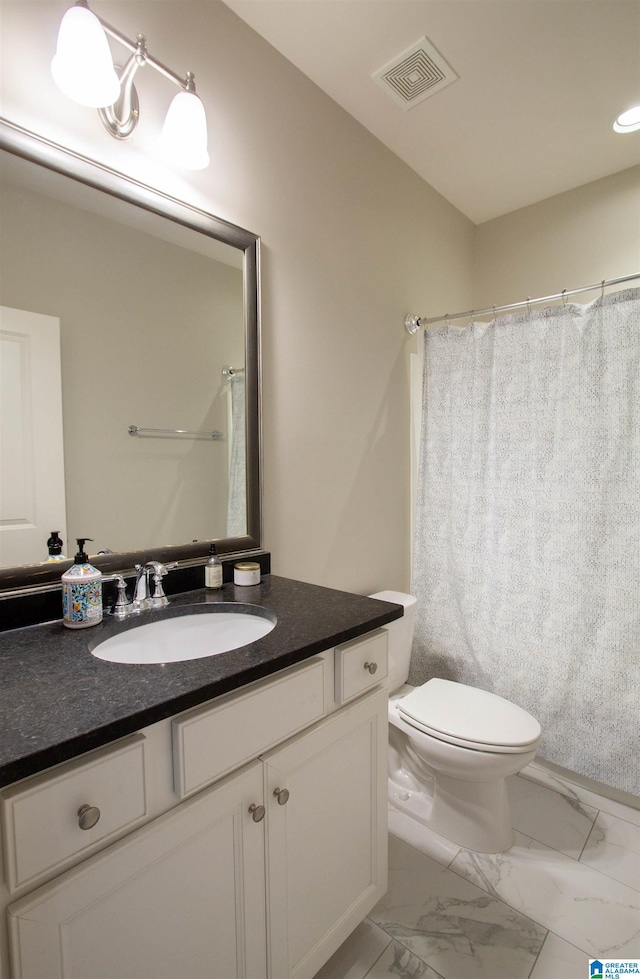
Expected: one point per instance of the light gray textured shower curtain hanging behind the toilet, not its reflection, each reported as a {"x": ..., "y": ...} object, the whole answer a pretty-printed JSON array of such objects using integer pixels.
[{"x": 527, "y": 553}]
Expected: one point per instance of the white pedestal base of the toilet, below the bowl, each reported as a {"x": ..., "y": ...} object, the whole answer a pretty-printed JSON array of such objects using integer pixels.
[{"x": 474, "y": 815}]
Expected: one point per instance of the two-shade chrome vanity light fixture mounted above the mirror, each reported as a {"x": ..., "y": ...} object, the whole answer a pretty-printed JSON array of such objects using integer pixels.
[{"x": 83, "y": 69}]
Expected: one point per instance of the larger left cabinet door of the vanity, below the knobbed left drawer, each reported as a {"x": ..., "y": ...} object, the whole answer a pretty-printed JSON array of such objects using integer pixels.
[{"x": 181, "y": 898}]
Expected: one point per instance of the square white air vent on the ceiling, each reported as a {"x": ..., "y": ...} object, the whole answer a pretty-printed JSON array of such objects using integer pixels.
[{"x": 415, "y": 74}]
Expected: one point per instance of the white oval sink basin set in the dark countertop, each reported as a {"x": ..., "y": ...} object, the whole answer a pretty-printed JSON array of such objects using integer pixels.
[{"x": 208, "y": 632}]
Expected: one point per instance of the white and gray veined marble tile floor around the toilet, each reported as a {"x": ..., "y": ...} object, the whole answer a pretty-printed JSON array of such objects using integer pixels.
[{"x": 567, "y": 891}]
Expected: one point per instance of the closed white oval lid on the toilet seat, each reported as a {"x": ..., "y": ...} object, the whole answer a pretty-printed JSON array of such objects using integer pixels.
[{"x": 459, "y": 713}]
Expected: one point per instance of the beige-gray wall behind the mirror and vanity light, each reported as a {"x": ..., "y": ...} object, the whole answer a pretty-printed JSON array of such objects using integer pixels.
[{"x": 352, "y": 240}]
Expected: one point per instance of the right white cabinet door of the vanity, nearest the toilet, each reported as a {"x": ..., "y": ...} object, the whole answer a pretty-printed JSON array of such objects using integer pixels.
[{"x": 327, "y": 844}]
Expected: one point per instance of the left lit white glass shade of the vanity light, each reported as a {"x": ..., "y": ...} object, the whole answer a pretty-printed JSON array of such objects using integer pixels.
[{"x": 83, "y": 67}]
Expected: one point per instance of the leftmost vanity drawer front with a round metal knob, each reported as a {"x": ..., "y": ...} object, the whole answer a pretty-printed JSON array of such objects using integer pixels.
[{"x": 40, "y": 816}]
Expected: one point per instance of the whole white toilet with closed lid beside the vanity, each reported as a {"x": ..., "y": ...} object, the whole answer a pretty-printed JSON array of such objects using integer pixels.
[{"x": 451, "y": 748}]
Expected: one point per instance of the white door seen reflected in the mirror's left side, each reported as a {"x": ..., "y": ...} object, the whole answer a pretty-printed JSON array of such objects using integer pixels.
[{"x": 32, "y": 496}]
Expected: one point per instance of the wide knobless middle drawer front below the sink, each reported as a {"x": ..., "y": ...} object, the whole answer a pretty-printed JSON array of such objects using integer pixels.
[{"x": 209, "y": 742}]
